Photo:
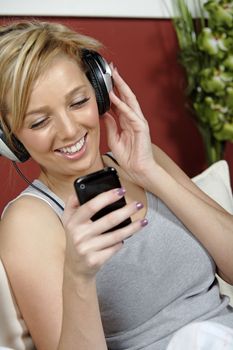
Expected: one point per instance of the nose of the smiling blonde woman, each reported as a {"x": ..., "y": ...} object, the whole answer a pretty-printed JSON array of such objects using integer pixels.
[{"x": 66, "y": 126}]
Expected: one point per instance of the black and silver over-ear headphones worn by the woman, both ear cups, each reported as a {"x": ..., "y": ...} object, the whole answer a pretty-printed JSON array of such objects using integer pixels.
[{"x": 100, "y": 77}]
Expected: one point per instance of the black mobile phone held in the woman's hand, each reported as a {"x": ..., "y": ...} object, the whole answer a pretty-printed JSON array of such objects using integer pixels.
[{"x": 89, "y": 186}]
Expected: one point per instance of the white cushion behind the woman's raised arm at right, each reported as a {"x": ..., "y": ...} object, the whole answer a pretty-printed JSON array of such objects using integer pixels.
[{"x": 215, "y": 181}]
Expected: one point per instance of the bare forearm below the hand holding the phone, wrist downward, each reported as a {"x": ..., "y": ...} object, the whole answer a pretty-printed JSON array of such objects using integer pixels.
[{"x": 81, "y": 323}]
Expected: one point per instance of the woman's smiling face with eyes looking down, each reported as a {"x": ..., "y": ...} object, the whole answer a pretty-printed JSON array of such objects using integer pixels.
[{"x": 61, "y": 126}]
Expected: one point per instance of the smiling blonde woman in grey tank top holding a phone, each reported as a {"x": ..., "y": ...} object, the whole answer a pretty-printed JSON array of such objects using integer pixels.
[{"x": 132, "y": 295}]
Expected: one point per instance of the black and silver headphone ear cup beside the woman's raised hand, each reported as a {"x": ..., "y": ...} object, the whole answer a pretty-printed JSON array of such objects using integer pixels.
[{"x": 99, "y": 75}]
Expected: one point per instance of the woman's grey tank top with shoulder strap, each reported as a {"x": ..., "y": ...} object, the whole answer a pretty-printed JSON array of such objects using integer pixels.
[{"x": 161, "y": 280}]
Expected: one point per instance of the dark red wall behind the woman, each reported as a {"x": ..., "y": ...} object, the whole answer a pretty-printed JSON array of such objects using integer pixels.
[{"x": 145, "y": 53}]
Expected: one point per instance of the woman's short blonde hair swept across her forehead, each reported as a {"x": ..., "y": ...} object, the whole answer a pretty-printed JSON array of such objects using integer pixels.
[{"x": 26, "y": 49}]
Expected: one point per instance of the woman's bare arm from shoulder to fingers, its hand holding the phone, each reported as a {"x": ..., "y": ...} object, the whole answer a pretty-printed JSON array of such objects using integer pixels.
[{"x": 52, "y": 271}]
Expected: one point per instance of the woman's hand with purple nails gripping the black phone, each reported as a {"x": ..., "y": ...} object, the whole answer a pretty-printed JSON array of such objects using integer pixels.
[{"x": 87, "y": 246}]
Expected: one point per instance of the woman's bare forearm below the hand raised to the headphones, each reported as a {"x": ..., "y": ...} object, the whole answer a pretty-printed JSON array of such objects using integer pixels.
[{"x": 208, "y": 222}]
